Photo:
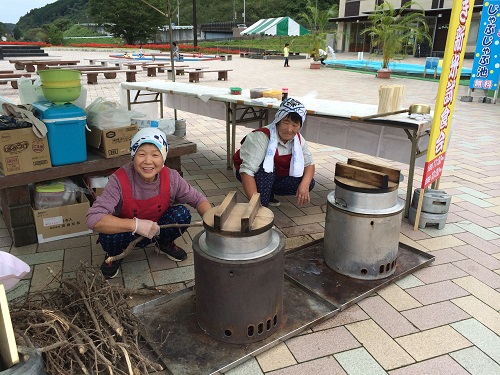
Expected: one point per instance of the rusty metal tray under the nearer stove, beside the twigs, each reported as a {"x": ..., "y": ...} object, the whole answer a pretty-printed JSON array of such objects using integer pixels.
[{"x": 171, "y": 329}]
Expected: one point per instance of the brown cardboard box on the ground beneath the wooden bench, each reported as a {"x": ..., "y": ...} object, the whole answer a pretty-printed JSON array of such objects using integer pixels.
[{"x": 62, "y": 222}]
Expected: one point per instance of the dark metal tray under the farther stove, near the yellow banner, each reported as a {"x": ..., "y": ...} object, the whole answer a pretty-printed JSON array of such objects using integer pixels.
[{"x": 308, "y": 268}]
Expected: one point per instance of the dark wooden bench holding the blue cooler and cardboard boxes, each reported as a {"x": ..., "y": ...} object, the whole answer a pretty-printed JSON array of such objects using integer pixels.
[{"x": 15, "y": 195}]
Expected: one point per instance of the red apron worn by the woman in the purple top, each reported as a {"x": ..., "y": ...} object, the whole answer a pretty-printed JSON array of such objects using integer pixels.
[{"x": 149, "y": 209}]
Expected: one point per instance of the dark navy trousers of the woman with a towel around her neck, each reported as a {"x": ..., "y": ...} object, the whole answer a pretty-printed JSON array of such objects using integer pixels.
[{"x": 269, "y": 184}]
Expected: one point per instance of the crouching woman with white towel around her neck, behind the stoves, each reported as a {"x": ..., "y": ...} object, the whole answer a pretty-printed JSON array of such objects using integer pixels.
[{"x": 275, "y": 159}]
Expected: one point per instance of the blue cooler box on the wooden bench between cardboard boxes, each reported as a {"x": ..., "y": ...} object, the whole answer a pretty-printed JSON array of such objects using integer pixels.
[{"x": 65, "y": 131}]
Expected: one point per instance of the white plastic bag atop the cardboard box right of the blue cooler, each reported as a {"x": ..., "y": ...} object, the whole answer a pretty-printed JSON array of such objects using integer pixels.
[{"x": 105, "y": 114}]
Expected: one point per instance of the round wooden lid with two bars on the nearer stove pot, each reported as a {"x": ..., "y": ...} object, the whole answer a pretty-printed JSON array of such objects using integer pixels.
[{"x": 239, "y": 219}]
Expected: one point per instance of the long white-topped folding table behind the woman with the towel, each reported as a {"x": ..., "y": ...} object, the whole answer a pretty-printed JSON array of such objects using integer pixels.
[{"x": 329, "y": 122}]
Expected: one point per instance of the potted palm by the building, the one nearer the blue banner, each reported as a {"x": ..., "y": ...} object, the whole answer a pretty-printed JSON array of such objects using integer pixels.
[{"x": 392, "y": 30}]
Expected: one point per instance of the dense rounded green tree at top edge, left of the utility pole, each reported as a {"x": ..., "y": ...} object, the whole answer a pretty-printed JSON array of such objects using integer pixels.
[{"x": 131, "y": 19}]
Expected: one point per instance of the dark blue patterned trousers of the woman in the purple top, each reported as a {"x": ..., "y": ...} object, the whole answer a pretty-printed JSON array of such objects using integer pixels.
[{"x": 114, "y": 244}]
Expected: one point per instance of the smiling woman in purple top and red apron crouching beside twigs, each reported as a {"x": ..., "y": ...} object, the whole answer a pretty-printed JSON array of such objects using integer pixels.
[{"x": 141, "y": 196}]
